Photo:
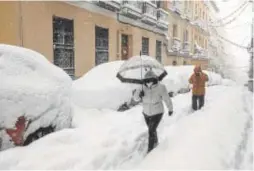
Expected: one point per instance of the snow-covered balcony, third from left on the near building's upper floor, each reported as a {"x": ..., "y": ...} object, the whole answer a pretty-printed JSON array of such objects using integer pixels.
[{"x": 149, "y": 13}]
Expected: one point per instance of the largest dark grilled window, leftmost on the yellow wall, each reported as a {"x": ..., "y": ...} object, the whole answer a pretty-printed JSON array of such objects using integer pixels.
[{"x": 63, "y": 43}]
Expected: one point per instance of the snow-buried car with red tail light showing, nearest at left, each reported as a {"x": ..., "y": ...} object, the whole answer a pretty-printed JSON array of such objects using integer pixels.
[{"x": 34, "y": 97}]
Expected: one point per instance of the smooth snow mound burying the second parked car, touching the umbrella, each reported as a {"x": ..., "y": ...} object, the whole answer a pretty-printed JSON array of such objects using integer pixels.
[{"x": 99, "y": 88}]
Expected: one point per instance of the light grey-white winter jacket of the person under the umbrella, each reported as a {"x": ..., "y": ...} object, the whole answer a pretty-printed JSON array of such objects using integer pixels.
[{"x": 152, "y": 100}]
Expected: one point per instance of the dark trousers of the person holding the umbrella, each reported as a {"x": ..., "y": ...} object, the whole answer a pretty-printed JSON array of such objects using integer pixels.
[{"x": 152, "y": 123}]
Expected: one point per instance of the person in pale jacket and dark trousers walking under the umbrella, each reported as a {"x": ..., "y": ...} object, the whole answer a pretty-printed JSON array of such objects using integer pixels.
[{"x": 152, "y": 96}]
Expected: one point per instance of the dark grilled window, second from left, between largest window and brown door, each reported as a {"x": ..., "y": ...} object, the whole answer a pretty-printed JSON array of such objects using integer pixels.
[{"x": 101, "y": 45}]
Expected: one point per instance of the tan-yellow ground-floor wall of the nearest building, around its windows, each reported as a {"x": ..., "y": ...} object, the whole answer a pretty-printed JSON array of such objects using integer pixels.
[{"x": 30, "y": 24}]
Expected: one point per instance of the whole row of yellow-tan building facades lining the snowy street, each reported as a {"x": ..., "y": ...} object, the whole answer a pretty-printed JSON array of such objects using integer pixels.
[{"x": 78, "y": 35}]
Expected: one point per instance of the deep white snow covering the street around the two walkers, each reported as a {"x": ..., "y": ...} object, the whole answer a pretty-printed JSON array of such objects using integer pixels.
[{"x": 219, "y": 136}]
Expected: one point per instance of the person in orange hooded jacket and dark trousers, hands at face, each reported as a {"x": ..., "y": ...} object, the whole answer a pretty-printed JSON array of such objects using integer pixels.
[{"x": 198, "y": 80}]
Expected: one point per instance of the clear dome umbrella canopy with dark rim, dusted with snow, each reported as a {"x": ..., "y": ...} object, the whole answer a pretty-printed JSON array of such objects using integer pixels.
[{"x": 135, "y": 69}]
